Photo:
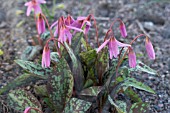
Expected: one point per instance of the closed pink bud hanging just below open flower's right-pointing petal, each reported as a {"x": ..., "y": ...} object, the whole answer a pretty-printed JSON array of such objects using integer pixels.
[{"x": 132, "y": 58}]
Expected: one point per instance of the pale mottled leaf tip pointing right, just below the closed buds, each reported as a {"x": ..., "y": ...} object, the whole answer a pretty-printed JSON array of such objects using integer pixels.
[{"x": 144, "y": 68}]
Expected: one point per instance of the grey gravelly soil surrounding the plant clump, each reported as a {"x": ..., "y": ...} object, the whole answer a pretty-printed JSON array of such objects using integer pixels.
[{"x": 151, "y": 17}]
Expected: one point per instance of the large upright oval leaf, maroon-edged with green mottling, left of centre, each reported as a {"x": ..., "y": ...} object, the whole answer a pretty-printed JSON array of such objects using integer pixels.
[{"x": 60, "y": 85}]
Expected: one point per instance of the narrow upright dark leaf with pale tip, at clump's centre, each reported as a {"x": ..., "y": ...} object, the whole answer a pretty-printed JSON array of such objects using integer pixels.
[{"x": 76, "y": 69}]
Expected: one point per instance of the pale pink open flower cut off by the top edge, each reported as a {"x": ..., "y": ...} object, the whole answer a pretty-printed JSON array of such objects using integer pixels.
[{"x": 34, "y": 4}]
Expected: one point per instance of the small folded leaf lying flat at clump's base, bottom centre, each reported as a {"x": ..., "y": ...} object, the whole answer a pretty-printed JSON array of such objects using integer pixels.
[{"x": 91, "y": 91}]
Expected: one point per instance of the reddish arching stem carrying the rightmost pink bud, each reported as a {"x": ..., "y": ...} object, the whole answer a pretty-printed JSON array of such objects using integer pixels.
[{"x": 121, "y": 60}]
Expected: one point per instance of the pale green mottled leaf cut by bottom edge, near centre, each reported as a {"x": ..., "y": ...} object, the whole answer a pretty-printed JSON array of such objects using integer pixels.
[{"x": 77, "y": 106}]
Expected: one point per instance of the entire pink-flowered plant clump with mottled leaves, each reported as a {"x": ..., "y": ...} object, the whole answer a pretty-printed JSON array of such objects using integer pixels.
[{"x": 76, "y": 77}]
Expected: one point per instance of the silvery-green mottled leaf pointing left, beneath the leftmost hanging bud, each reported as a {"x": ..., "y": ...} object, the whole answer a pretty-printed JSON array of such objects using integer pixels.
[{"x": 34, "y": 68}]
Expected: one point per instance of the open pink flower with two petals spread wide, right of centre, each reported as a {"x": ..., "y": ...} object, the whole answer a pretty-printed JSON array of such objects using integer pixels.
[{"x": 113, "y": 45}]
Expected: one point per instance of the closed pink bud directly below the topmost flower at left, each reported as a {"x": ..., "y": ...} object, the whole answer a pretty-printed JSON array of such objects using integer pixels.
[{"x": 40, "y": 24}]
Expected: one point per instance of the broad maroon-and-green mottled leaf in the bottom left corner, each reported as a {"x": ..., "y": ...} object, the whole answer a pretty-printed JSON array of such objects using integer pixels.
[{"x": 21, "y": 99}]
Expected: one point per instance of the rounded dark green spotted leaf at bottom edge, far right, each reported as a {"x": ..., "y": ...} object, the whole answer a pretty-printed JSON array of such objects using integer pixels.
[{"x": 139, "y": 107}]
